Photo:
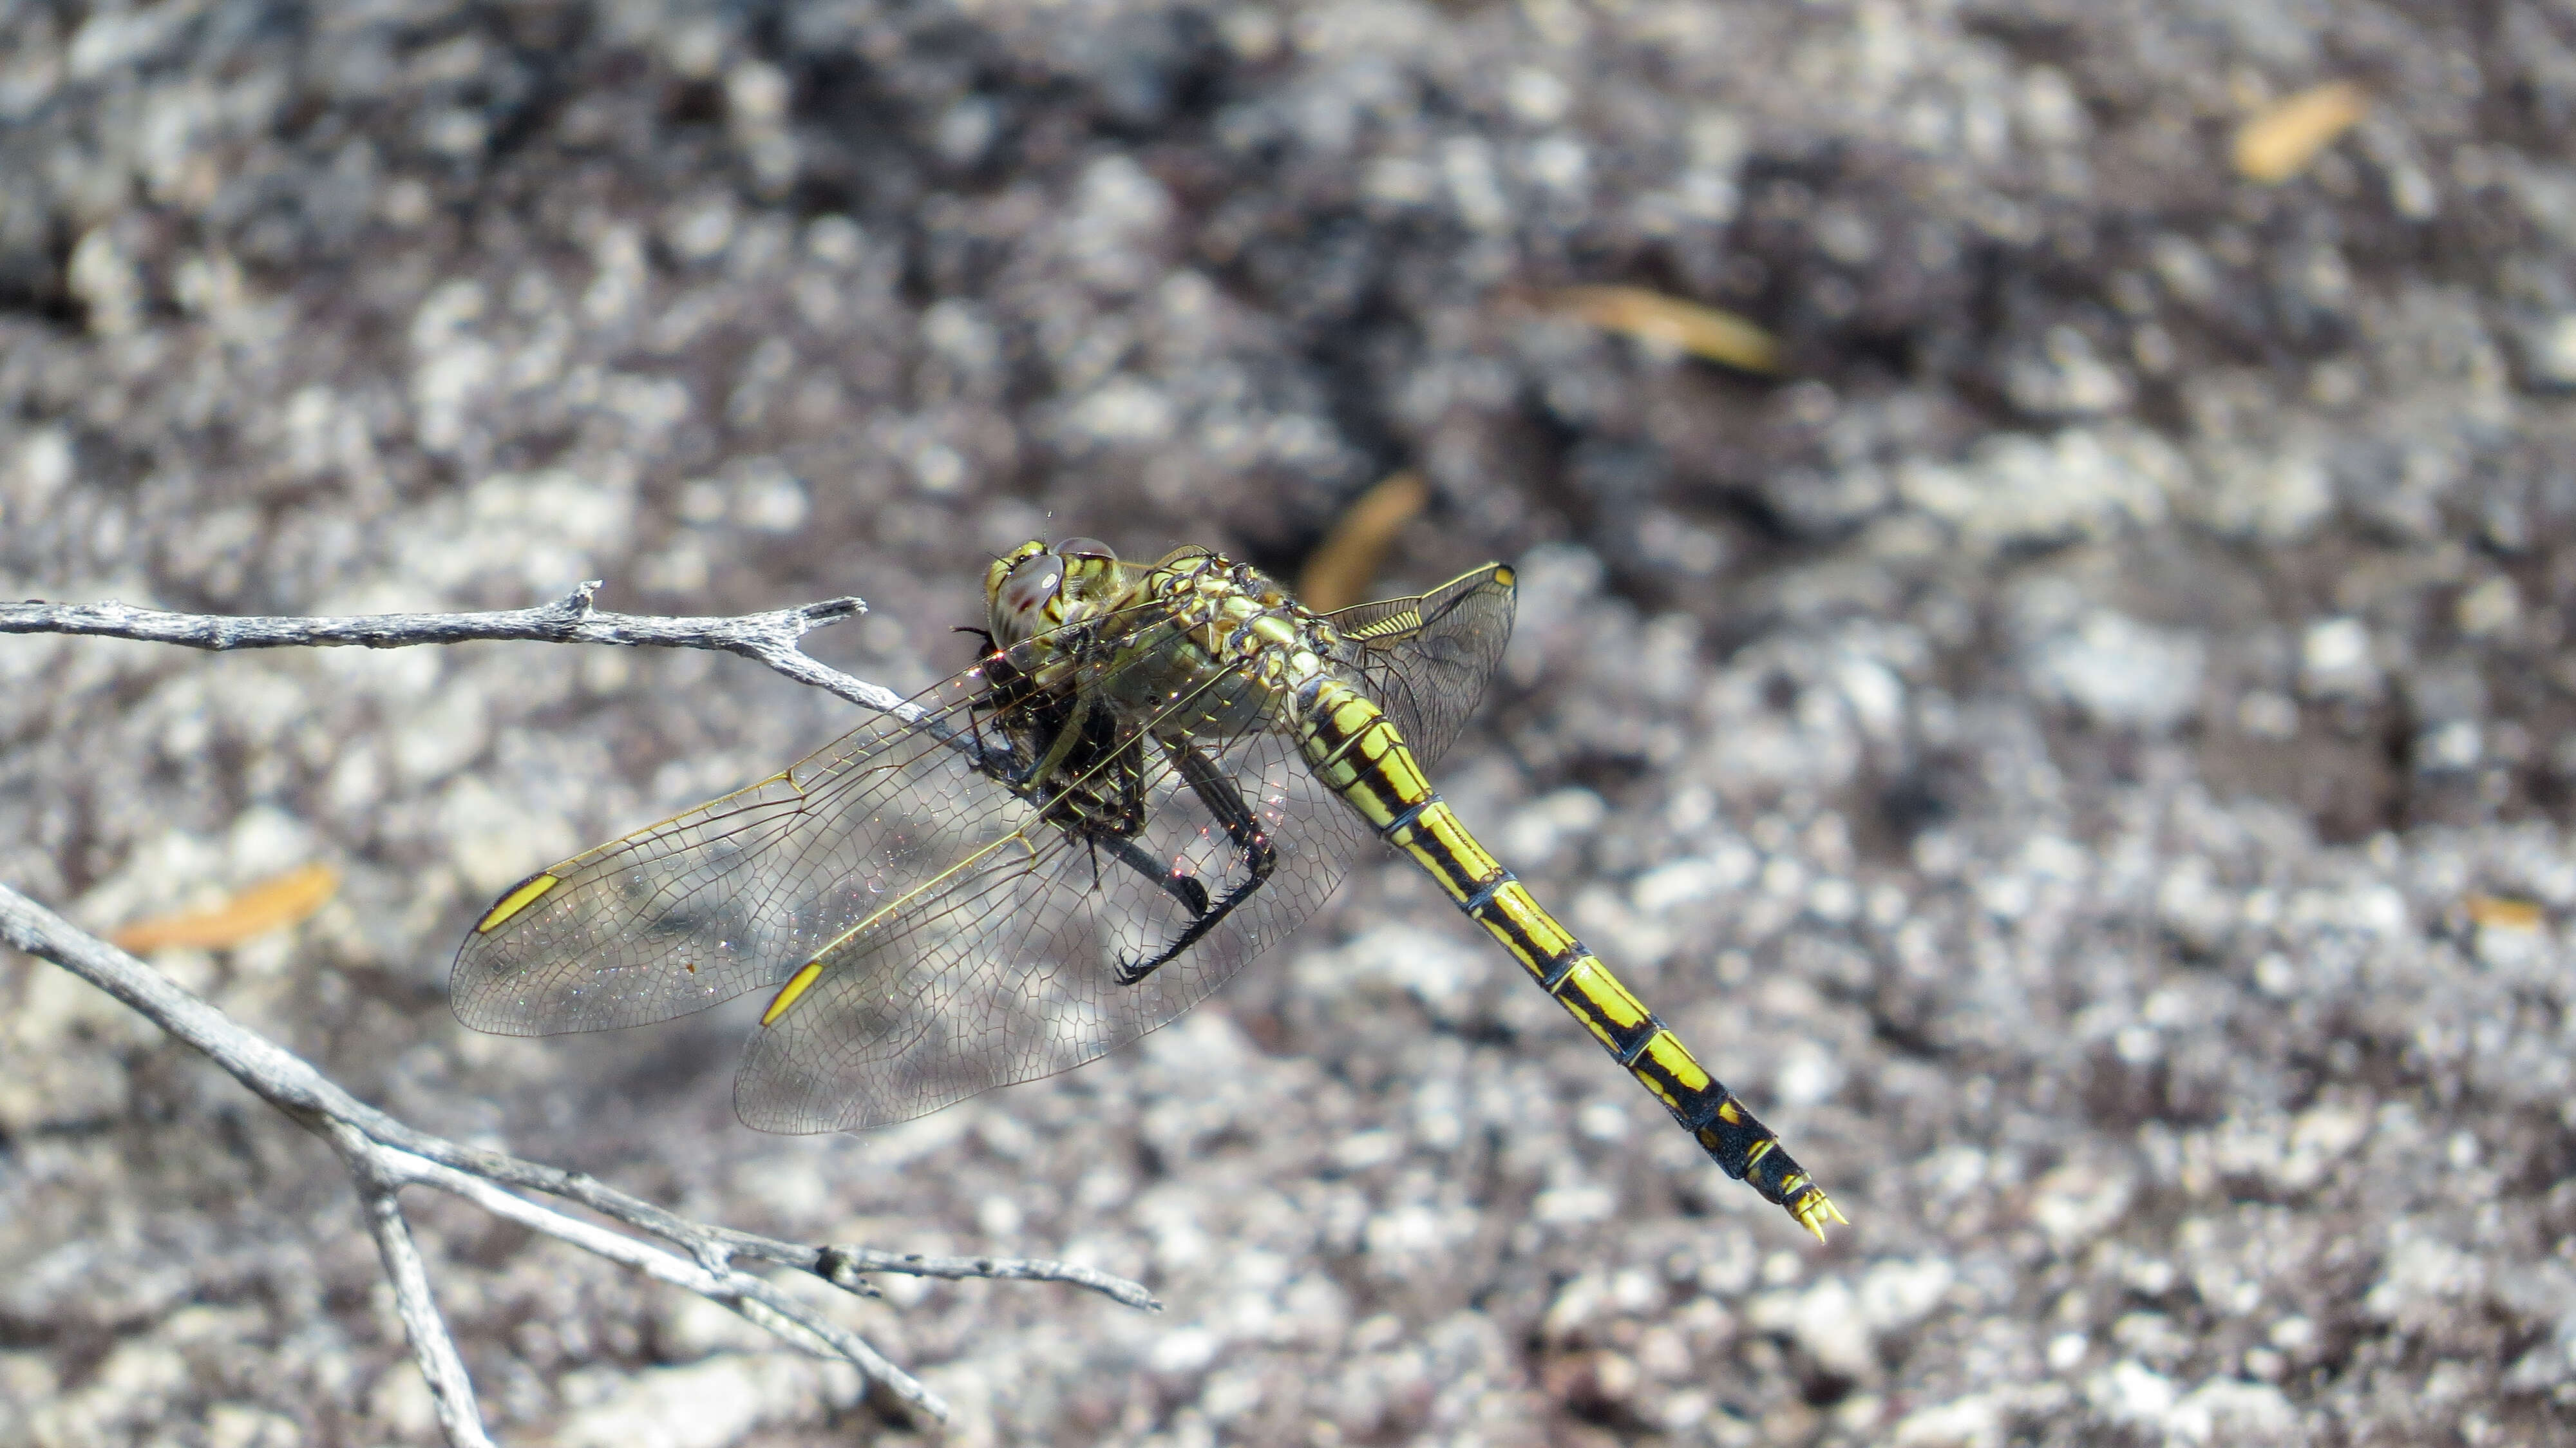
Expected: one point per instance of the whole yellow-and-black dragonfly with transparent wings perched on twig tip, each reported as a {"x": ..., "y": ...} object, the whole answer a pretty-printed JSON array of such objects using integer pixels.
[{"x": 1150, "y": 777}]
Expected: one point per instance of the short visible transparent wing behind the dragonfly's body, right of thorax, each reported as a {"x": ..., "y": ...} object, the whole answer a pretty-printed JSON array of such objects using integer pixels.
[{"x": 1428, "y": 658}]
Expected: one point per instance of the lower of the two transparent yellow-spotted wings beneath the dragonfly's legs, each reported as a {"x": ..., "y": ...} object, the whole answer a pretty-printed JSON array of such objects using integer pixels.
[{"x": 1009, "y": 970}]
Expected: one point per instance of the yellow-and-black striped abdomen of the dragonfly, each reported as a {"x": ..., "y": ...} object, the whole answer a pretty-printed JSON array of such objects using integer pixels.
[{"x": 1356, "y": 751}]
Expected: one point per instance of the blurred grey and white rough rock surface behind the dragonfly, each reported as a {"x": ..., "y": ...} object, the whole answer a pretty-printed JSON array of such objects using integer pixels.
[{"x": 2085, "y": 751}]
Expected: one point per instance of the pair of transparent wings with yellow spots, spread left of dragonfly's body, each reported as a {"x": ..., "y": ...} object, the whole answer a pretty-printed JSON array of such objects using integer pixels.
[{"x": 962, "y": 939}]
